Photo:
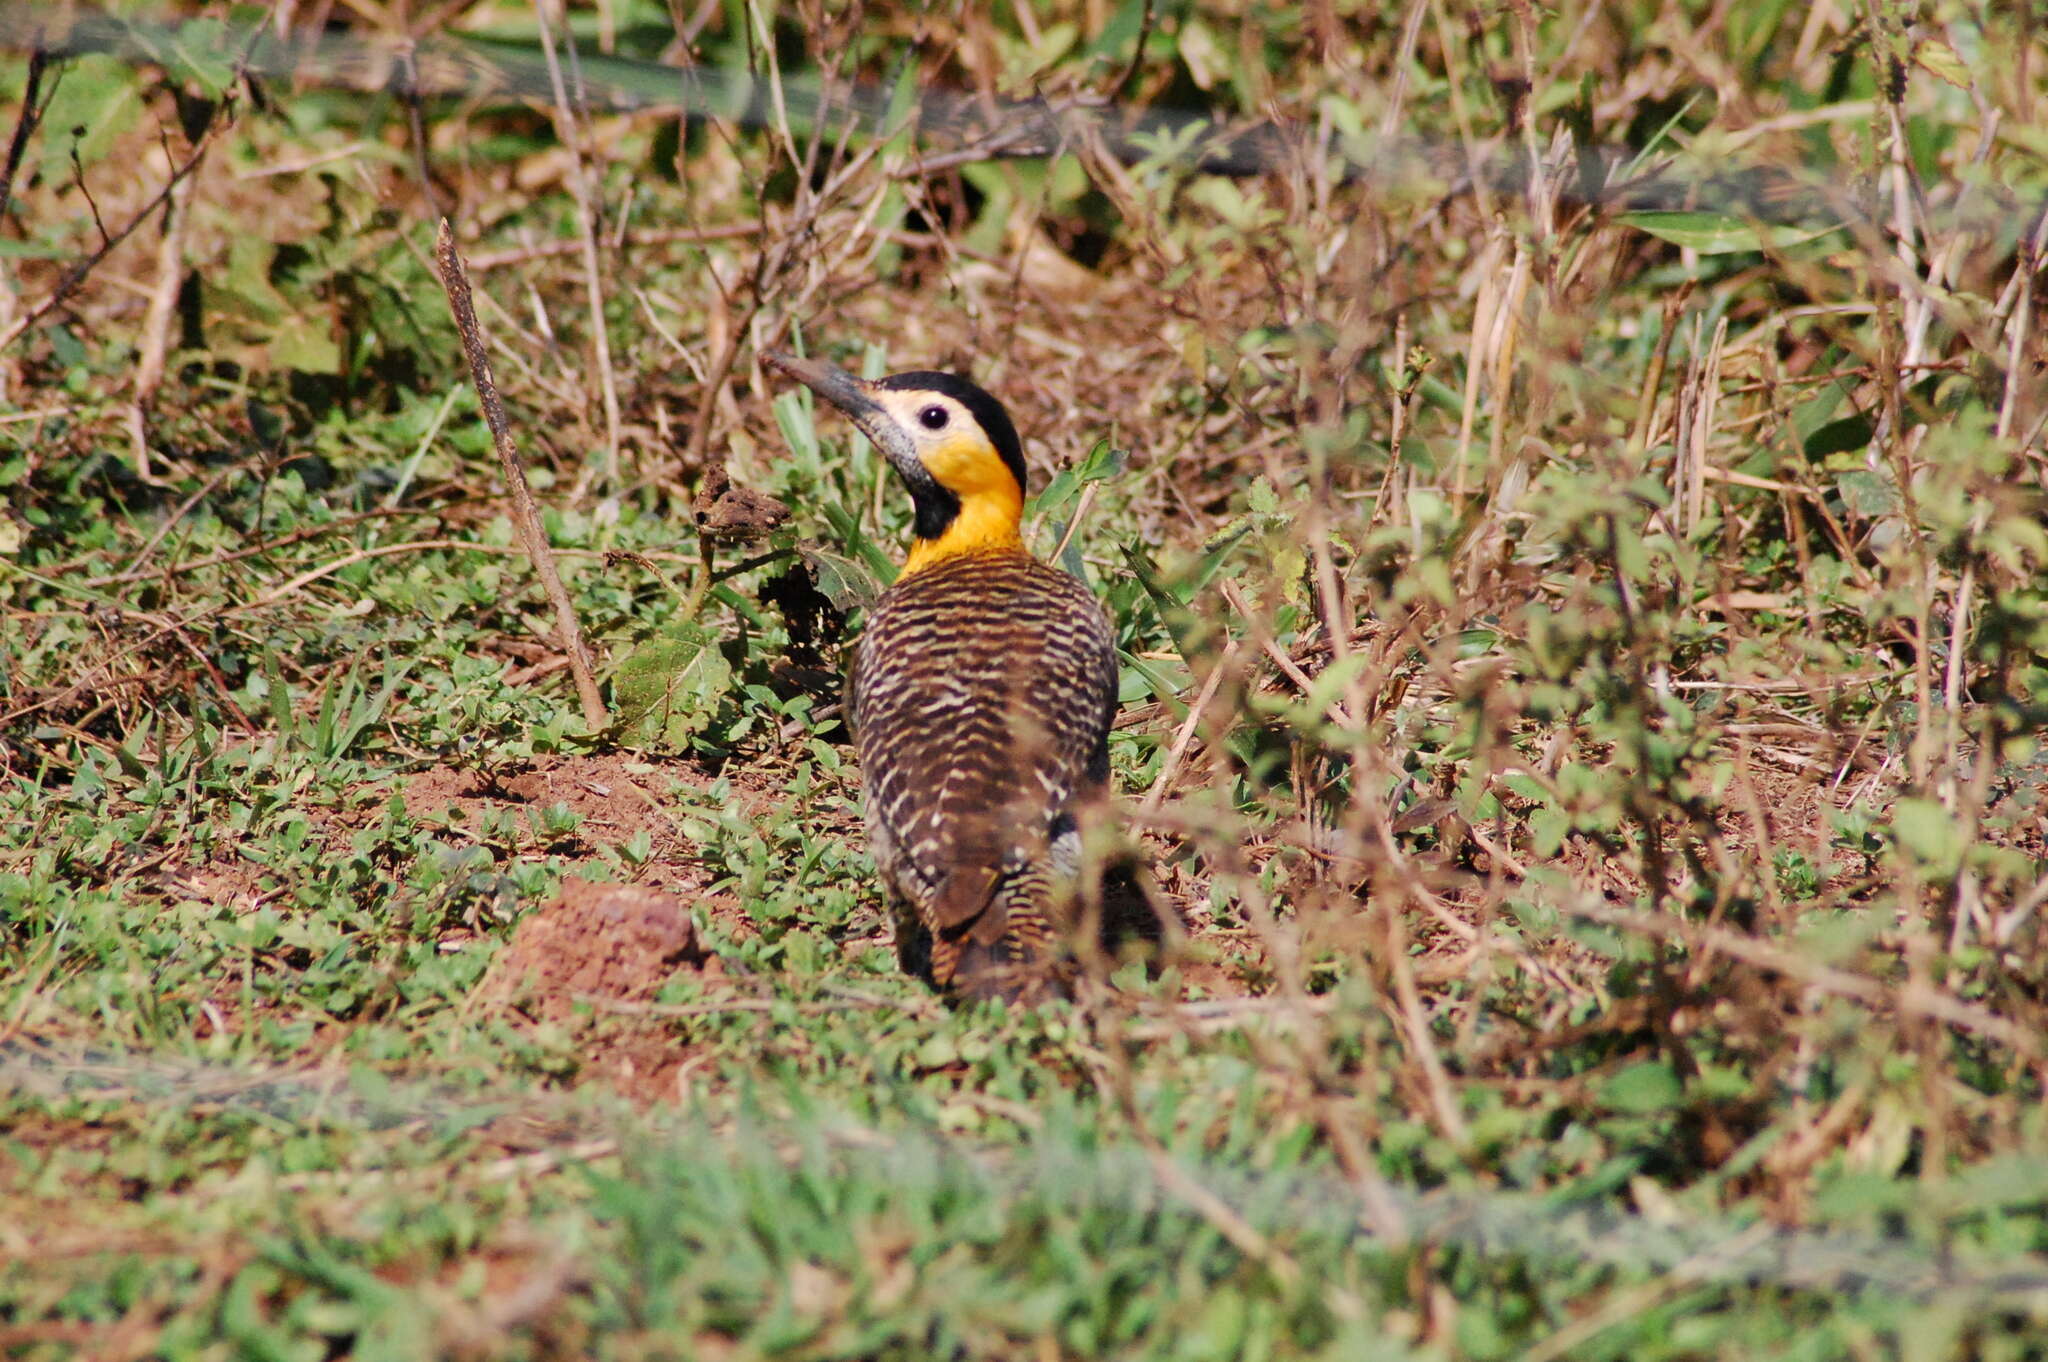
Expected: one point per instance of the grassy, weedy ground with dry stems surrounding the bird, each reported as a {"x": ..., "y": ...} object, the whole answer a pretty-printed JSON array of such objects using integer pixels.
[{"x": 1596, "y": 757}]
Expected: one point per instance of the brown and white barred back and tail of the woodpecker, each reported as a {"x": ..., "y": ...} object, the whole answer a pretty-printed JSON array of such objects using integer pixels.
[{"x": 982, "y": 701}]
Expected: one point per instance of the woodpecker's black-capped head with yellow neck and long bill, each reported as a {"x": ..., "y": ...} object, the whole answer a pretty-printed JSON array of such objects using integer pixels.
[{"x": 947, "y": 439}]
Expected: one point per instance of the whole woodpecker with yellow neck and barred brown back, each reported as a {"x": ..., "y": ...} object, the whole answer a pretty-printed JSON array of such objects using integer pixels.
[{"x": 982, "y": 697}]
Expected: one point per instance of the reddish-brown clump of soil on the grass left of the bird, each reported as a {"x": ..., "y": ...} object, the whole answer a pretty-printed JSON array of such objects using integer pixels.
[{"x": 599, "y": 945}]
